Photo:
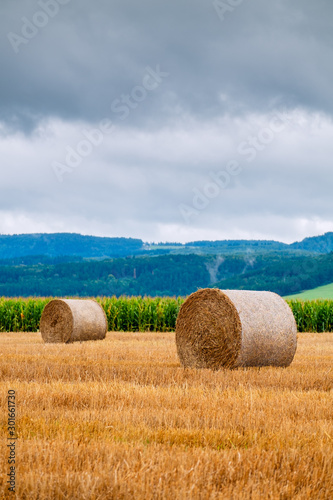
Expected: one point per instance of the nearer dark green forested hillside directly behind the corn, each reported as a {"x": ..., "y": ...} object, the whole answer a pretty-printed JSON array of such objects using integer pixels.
[{"x": 166, "y": 275}]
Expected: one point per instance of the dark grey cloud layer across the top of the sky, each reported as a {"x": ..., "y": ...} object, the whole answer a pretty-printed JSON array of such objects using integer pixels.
[{"x": 88, "y": 55}]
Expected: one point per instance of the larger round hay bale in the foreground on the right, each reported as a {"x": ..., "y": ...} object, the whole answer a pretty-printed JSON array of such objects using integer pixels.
[{"x": 234, "y": 328}]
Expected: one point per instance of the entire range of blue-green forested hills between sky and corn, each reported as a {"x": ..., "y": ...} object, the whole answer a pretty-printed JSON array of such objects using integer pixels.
[{"x": 75, "y": 265}]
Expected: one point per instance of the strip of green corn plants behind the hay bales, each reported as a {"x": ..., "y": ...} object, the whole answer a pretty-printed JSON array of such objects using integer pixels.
[{"x": 141, "y": 314}]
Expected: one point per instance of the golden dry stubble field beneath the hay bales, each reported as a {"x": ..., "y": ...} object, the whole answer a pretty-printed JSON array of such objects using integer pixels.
[{"x": 120, "y": 419}]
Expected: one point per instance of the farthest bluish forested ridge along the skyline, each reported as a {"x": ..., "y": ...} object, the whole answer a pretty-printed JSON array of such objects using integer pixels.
[{"x": 76, "y": 245}]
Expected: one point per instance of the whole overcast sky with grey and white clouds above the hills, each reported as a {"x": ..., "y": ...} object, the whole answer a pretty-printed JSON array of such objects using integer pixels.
[{"x": 167, "y": 120}]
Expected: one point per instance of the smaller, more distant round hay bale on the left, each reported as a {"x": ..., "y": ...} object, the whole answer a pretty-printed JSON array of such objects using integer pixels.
[{"x": 70, "y": 320}]
